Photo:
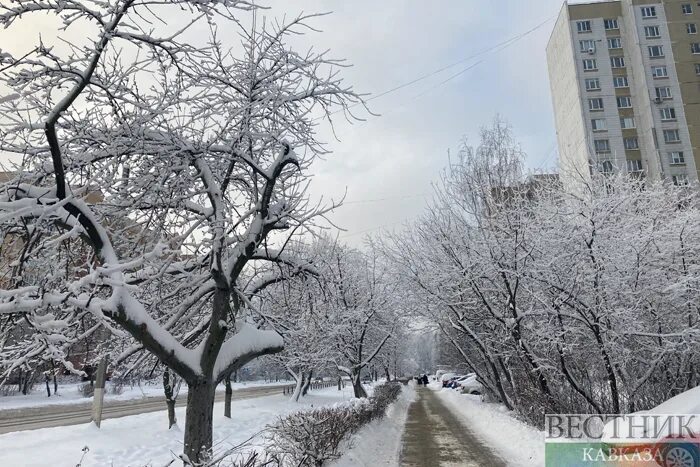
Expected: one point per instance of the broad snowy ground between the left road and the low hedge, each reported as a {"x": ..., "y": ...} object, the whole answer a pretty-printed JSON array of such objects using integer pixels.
[{"x": 144, "y": 440}]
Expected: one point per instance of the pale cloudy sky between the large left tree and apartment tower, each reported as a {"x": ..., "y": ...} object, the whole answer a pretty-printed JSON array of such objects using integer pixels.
[{"x": 387, "y": 163}]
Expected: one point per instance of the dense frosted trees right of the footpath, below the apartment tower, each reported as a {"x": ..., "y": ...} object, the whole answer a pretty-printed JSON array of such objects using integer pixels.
[{"x": 559, "y": 302}]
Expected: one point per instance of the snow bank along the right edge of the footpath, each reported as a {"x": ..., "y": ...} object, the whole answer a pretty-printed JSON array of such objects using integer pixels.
[{"x": 520, "y": 444}]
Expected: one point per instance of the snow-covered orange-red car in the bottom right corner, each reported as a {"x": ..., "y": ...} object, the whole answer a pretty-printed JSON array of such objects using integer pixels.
[{"x": 669, "y": 447}]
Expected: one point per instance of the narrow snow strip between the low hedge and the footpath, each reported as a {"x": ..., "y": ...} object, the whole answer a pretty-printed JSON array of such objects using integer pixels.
[{"x": 379, "y": 443}]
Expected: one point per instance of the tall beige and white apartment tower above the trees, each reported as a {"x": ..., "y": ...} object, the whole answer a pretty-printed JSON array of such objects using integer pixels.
[{"x": 625, "y": 82}]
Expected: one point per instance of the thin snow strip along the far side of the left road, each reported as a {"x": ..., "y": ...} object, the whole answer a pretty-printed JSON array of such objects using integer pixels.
[{"x": 70, "y": 394}]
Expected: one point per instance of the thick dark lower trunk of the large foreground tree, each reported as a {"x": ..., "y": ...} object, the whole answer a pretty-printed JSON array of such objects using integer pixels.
[{"x": 198, "y": 423}]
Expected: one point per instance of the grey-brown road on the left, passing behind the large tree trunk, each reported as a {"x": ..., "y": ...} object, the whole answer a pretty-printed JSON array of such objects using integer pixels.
[{"x": 73, "y": 414}]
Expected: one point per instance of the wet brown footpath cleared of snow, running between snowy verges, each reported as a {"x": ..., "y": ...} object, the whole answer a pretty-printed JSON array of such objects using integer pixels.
[{"x": 435, "y": 437}]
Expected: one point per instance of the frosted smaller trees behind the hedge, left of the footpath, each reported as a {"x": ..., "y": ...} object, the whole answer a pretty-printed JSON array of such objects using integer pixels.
[{"x": 338, "y": 321}]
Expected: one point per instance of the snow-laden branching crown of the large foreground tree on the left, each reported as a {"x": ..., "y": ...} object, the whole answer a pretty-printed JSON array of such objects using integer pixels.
[{"x": 170, "y": 160}]
